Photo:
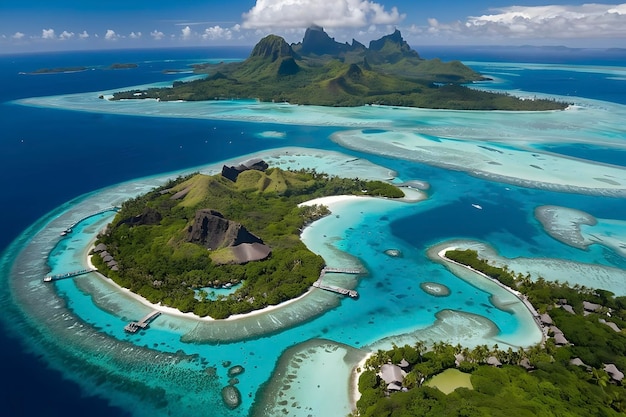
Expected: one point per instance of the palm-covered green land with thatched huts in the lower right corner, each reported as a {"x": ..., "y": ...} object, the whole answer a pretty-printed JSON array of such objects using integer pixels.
[{"x": 575, "y": 372}]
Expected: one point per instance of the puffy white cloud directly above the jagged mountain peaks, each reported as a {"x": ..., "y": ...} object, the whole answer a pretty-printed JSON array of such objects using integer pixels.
[{"x": 326, "y": 13}]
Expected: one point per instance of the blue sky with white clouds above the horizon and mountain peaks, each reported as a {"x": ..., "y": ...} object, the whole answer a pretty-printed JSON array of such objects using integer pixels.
[{"x": 49, "y": 25}]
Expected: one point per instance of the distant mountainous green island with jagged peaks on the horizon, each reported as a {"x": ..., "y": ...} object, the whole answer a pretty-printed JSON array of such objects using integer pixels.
[{"x": 321, "y": 71}]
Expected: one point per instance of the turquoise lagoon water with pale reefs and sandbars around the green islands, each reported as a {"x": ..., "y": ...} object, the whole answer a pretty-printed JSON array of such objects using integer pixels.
[{"x": 541, "y": 192}]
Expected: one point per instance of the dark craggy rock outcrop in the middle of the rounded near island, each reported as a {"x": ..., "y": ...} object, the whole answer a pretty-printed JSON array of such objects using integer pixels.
[{"x": 211, "y": 230}]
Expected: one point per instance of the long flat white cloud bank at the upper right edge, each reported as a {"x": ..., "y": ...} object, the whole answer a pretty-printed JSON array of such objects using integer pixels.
[{"x": 587, "y": 21}]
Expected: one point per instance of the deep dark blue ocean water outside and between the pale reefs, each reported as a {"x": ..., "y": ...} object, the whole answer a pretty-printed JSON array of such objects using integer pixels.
[{"x": 49, "y": 157}]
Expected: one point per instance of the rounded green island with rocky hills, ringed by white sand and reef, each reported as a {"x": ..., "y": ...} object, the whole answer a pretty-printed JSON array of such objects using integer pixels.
[{"x": 238, "y": 230}]
